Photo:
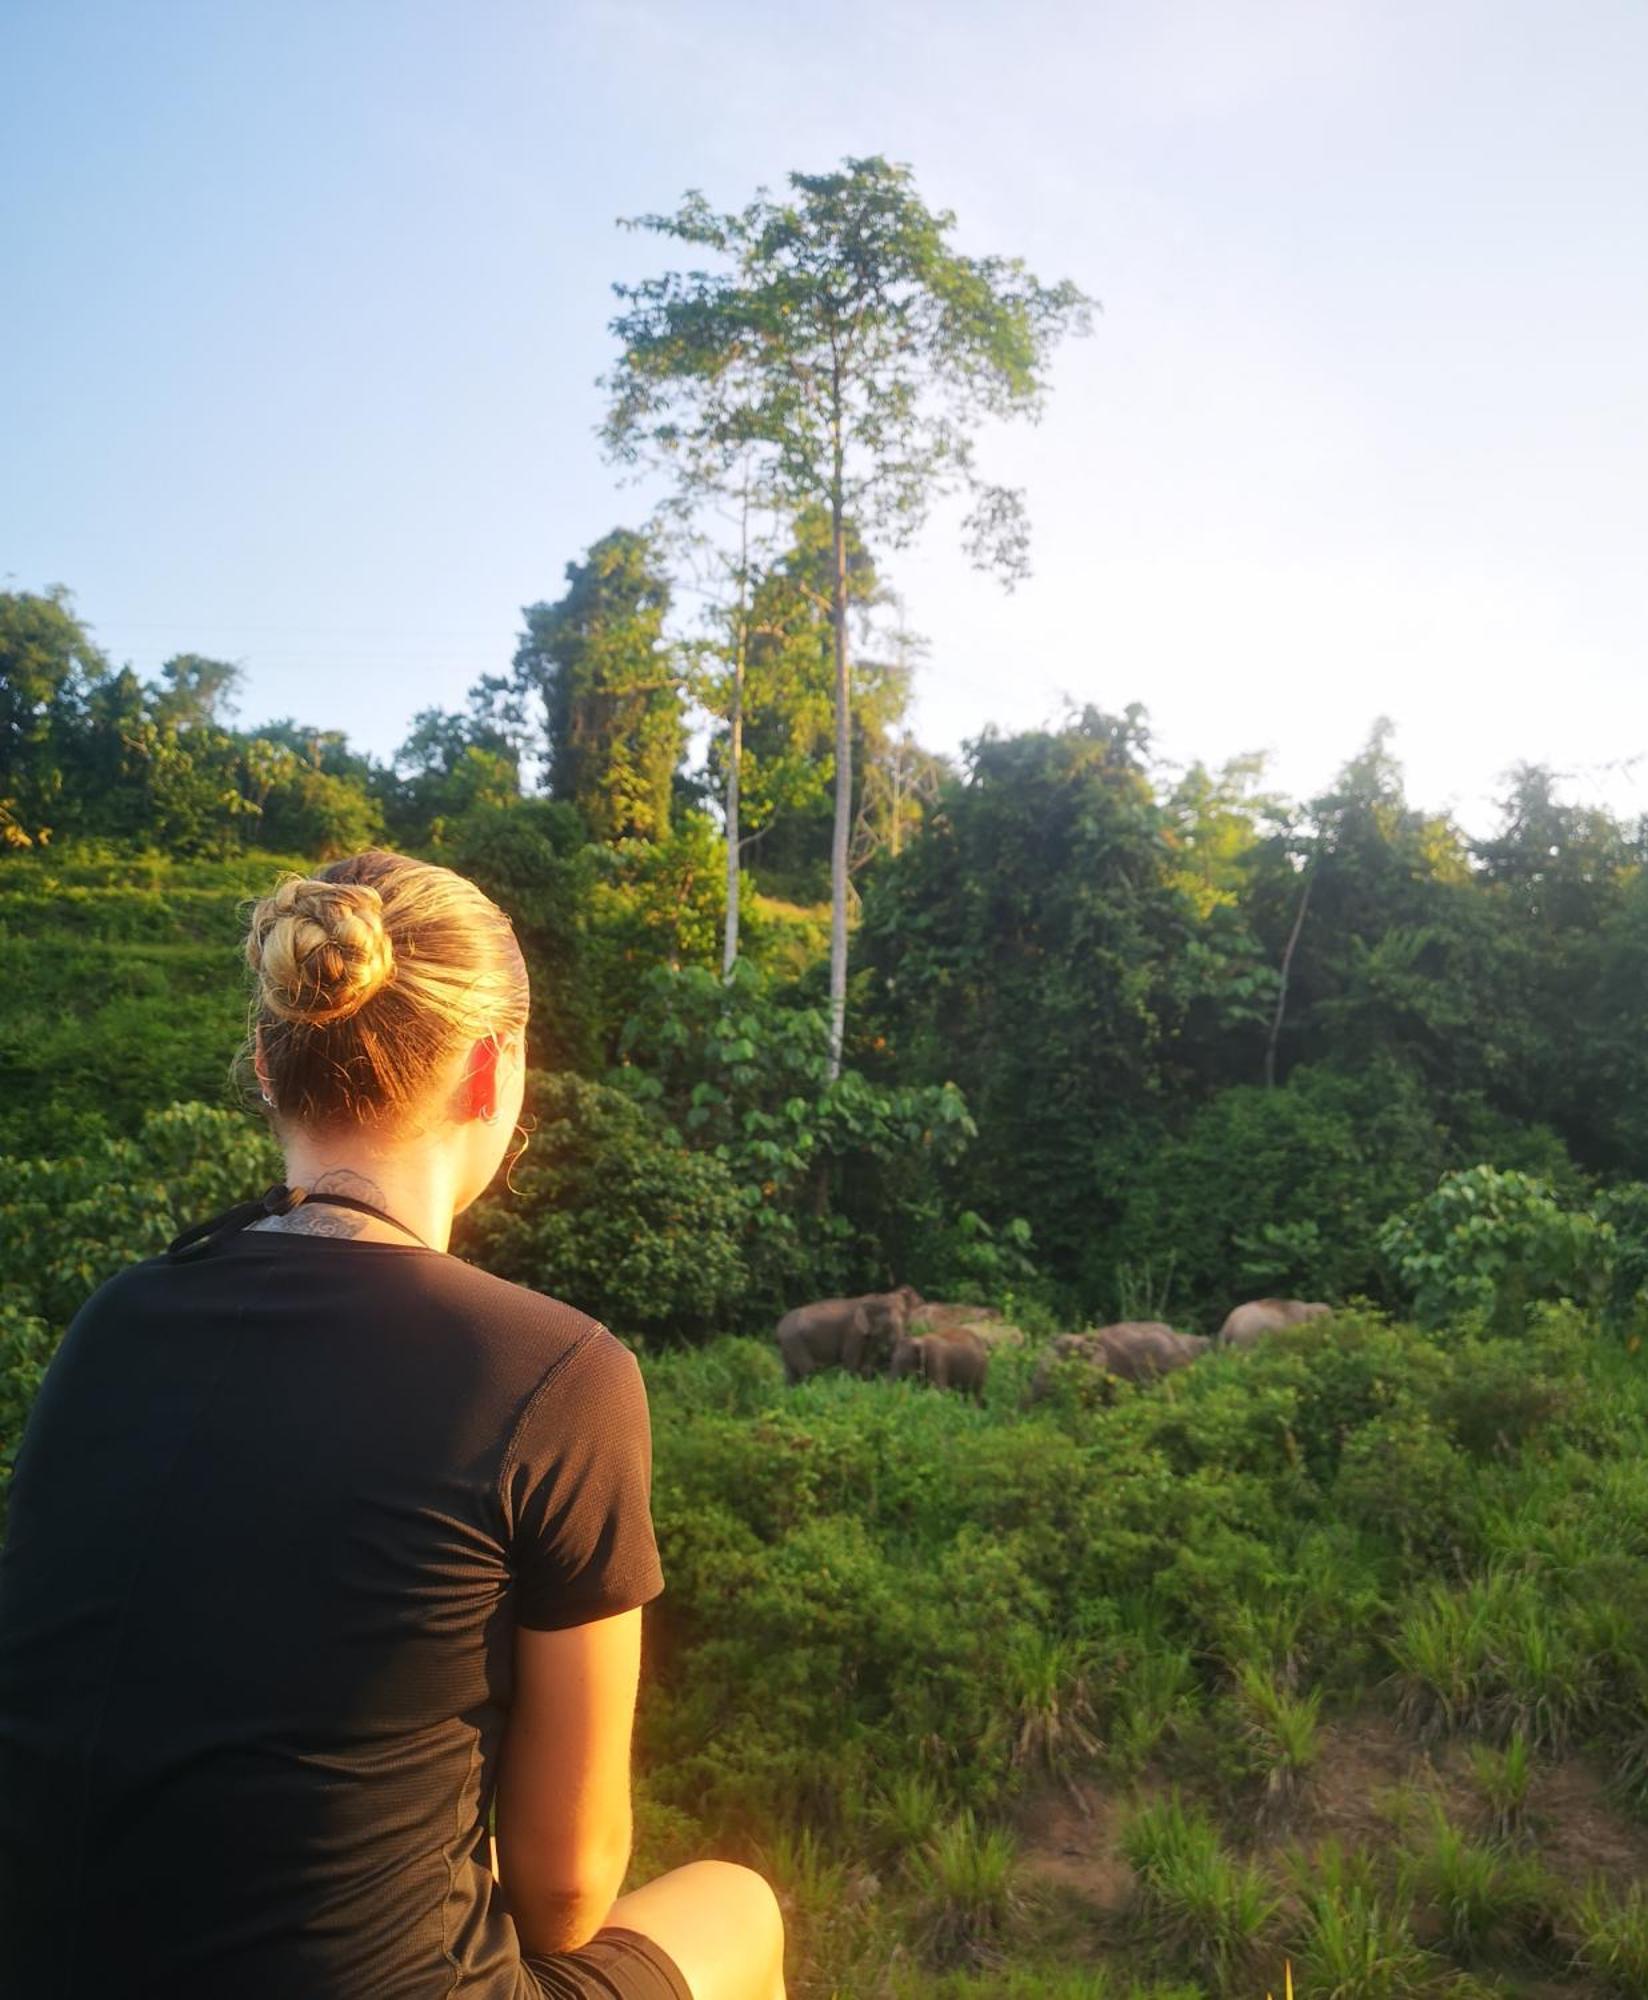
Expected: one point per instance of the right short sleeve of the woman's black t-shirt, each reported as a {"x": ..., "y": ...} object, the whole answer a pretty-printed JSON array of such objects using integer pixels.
[{"x": 577, "y": 1489}]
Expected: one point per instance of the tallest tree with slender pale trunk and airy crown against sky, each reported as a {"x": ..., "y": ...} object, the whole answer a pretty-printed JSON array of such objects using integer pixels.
[{"x": 847, "y": 355}]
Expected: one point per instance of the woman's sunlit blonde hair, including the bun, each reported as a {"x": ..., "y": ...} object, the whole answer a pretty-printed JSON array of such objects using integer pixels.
[{"x": 369, "y": 981}]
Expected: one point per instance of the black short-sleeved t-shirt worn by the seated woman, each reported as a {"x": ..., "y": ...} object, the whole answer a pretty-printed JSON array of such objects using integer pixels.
[{"x": 277, "y": 1515}]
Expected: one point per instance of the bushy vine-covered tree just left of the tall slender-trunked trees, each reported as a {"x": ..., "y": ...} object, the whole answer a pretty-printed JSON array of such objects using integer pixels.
[{"x": 611, "y": 689}]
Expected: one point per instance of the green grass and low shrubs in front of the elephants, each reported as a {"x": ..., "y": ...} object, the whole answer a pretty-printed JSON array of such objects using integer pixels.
[{"x": 1327, "y": 1655}]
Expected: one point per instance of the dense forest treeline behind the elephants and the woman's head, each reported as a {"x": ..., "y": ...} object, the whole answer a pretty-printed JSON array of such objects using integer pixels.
[{"x": 1121, "y": 1039}]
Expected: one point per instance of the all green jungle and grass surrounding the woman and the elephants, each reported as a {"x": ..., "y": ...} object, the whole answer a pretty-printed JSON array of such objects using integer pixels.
[{"x": 1327, "y": 1655}]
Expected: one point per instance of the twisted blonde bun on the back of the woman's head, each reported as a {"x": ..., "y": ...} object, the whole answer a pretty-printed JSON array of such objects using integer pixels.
[{"x": 319, "y": 949}]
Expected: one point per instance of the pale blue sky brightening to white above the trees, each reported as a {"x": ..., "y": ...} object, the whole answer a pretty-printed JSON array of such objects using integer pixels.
[{"x": 307, "y": 309}]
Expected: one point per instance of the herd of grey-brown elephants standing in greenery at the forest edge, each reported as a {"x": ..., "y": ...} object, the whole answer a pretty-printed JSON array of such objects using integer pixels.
[{"x": 903, "y": 1335}]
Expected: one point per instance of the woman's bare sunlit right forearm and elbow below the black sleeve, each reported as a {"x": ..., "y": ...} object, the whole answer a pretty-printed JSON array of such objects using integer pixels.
[{"x": 565, "y": 1781}]
